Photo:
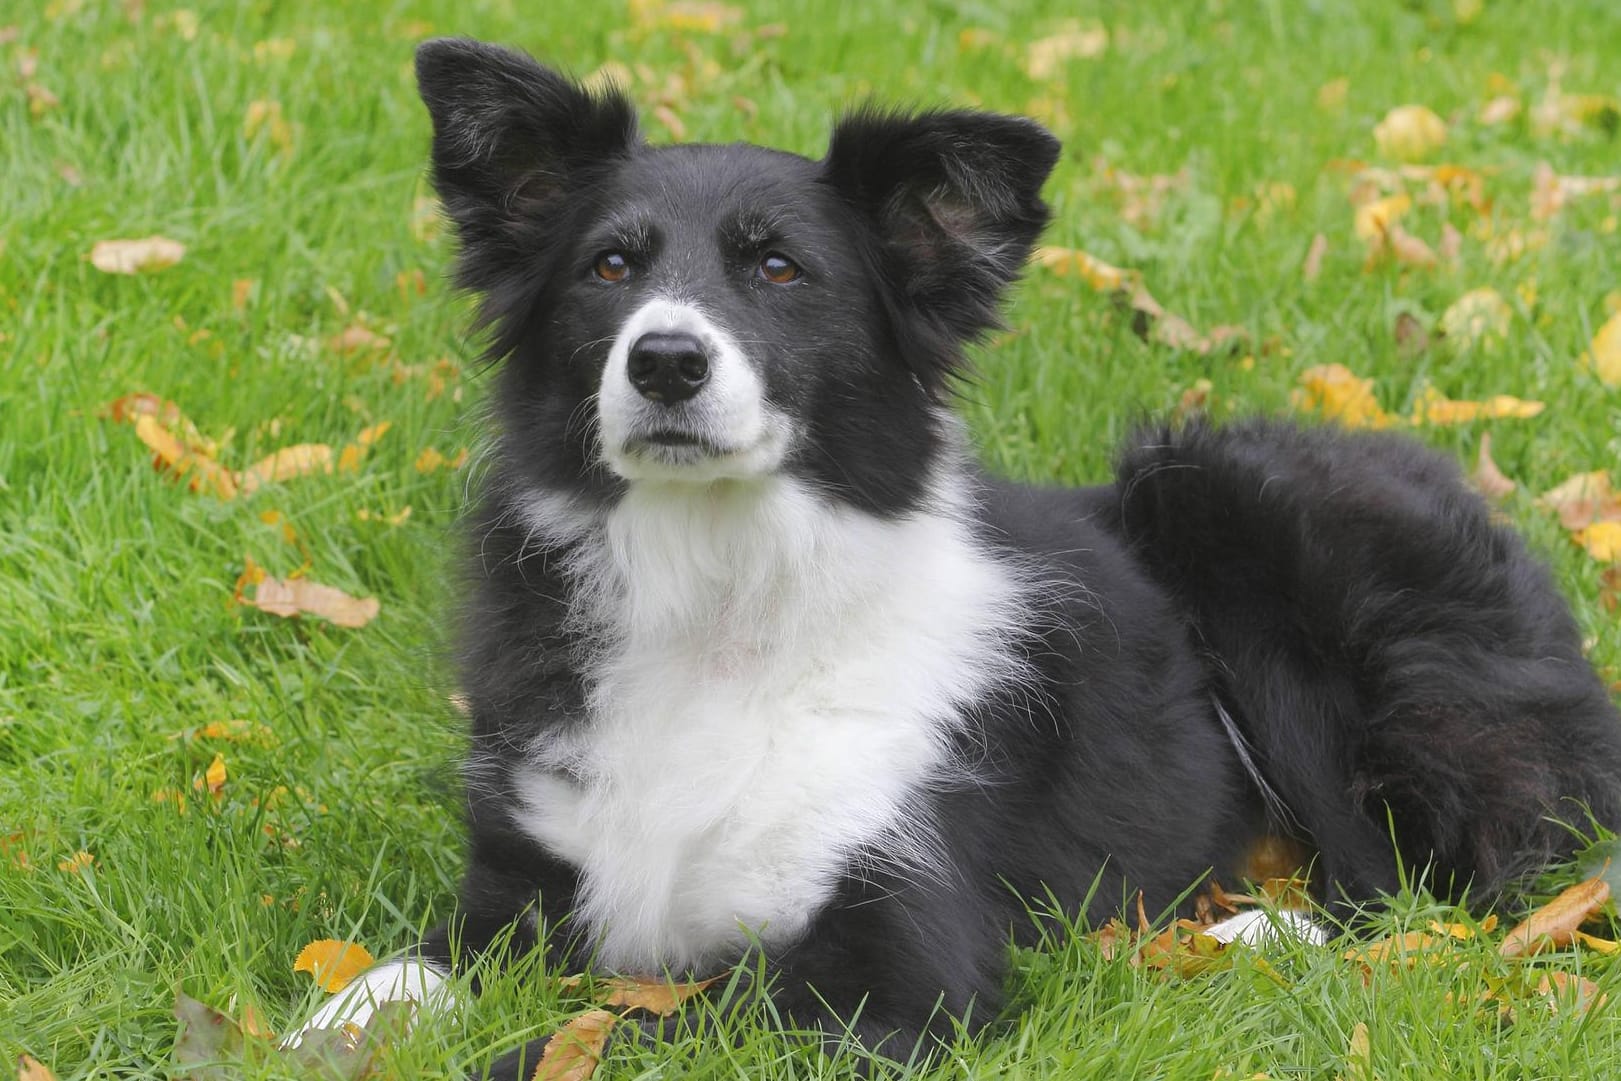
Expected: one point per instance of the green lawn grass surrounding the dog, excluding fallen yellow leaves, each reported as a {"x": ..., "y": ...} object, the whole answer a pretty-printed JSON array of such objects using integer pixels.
[{"x": 116, "y": 584}]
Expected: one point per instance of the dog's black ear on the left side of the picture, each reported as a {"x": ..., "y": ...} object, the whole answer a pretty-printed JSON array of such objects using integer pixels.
[{"x": 510, "y": 140}]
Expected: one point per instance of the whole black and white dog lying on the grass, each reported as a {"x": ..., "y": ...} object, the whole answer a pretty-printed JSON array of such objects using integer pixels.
[{"x": 759, "y": 657}]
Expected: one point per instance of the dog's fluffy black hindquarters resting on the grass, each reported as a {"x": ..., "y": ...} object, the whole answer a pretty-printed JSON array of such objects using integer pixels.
[{"x": 1400, "y": 665}]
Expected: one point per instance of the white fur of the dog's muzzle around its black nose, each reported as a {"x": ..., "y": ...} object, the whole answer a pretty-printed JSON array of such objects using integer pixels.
[{"x": 730, "y": 411}]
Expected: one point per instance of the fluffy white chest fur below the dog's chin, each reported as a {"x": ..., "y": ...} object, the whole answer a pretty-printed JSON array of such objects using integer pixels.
[{"x": 777, "y": 681}]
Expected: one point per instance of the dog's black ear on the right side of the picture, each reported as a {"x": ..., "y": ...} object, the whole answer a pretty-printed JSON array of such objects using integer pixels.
[{"x": 957, "y": 203}]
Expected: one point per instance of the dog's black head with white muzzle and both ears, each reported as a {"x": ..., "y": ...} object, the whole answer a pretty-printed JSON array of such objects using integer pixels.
[{"x": 708, "y": 314}]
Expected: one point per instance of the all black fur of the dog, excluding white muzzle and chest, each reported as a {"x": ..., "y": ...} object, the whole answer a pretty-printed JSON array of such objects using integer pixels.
[{"x": 1393, "y": 657}]
